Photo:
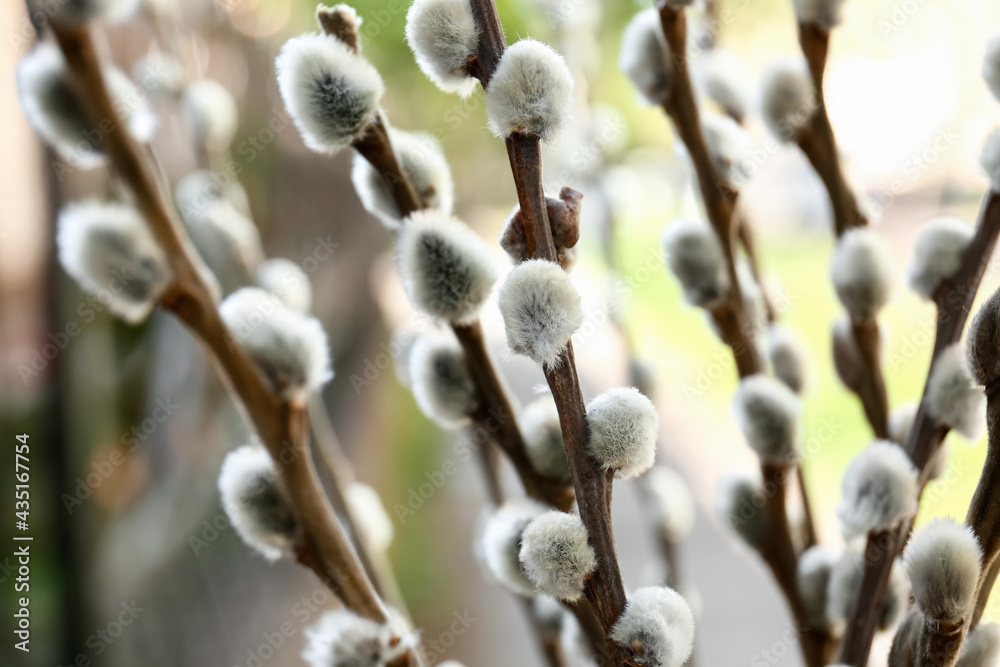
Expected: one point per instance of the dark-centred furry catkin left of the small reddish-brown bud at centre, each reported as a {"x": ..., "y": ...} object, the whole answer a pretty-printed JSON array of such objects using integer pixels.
[{"x": 447, "y": 269}]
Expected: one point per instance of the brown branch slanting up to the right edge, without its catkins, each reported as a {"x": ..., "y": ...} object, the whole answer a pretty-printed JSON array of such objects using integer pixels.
[{"x": 954, "y": 301}]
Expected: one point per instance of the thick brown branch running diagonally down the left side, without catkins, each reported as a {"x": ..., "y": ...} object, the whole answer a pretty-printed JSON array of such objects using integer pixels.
[{"x": 282, "y": 426}]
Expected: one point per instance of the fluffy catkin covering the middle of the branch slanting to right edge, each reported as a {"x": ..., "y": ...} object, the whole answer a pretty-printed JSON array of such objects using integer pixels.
[{"x": 878, "y": 490}]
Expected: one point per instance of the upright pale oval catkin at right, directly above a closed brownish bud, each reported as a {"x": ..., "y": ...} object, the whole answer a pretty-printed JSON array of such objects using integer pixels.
[{"x": 861, "y": 270}]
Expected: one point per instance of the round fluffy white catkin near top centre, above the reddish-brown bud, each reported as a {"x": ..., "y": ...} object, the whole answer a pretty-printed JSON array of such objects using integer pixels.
[{"x": 531, "y": 91}]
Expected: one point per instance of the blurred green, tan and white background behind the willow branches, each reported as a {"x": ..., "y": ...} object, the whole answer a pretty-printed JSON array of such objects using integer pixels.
[{"x": 128, "y": 425}]
